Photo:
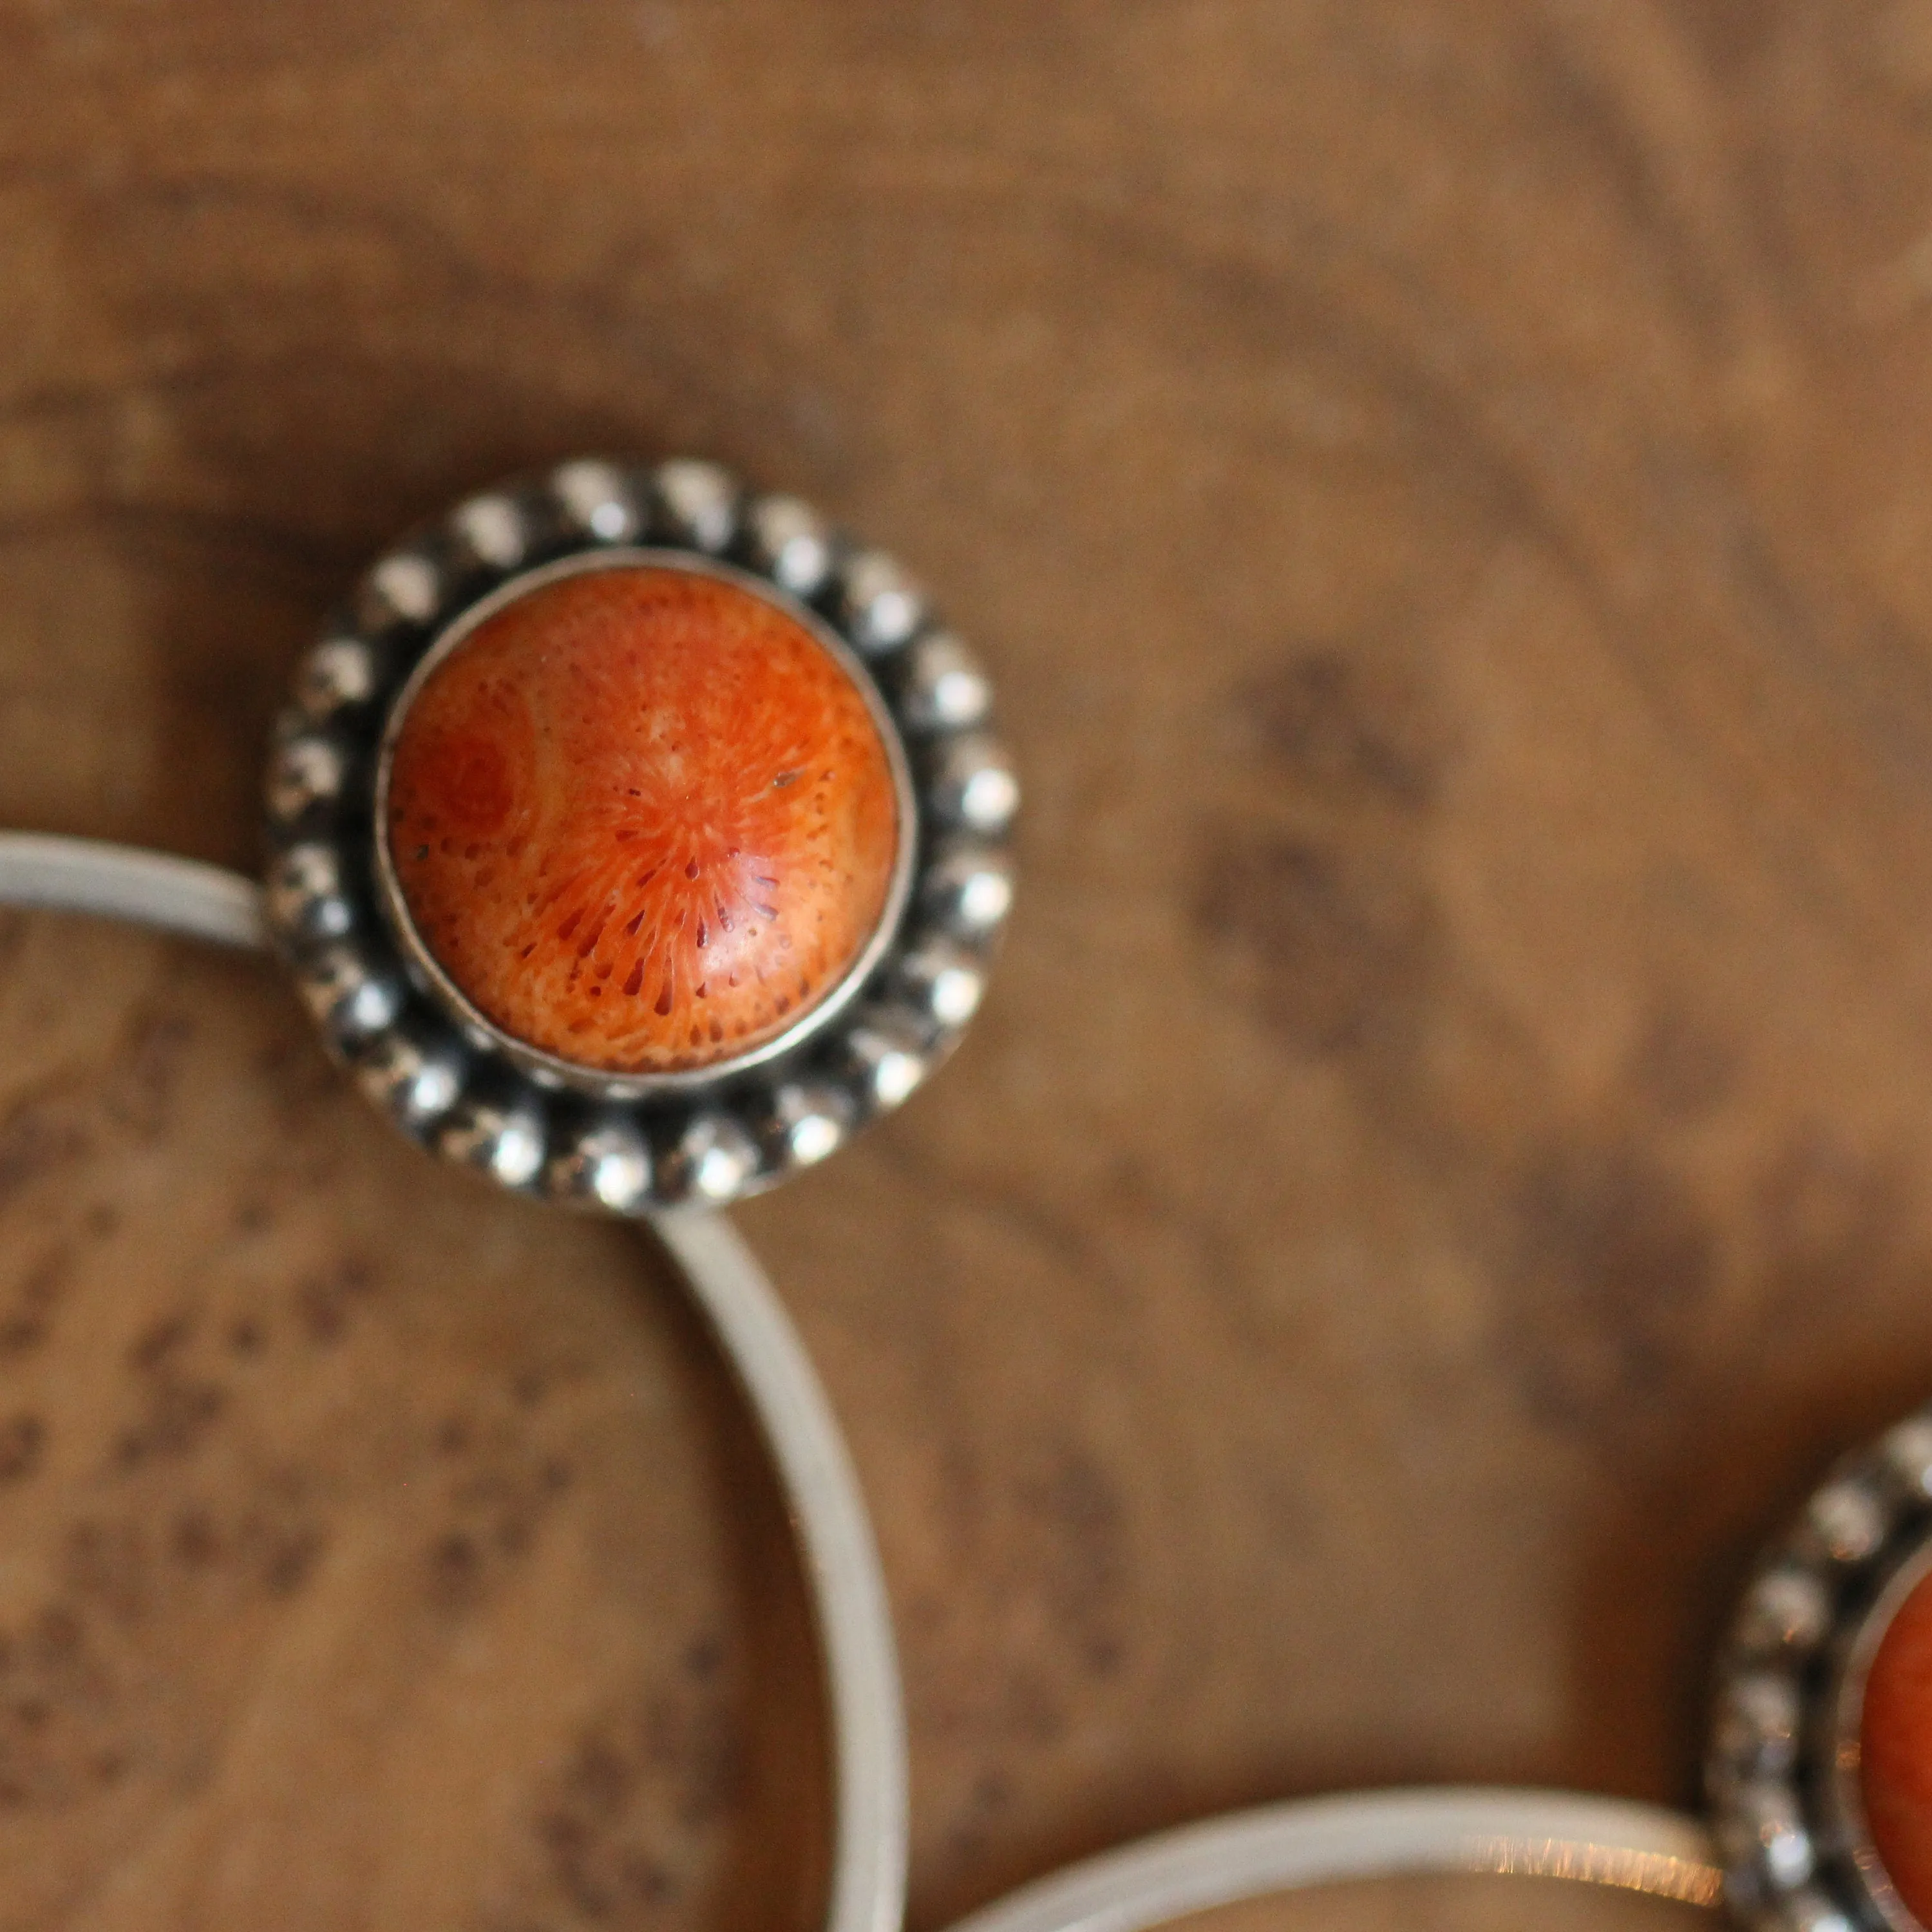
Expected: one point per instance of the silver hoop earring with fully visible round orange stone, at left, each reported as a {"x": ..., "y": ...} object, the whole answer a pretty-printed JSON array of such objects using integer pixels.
[{"x": 635, "y": 841}]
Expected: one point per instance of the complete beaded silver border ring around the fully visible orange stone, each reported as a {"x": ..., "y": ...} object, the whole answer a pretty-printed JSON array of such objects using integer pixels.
[{"x": 449, "y": 1085}]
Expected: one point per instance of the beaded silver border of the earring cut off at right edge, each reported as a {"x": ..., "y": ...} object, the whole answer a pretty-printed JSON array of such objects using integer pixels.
[{"x": 1782, "y": 1769}]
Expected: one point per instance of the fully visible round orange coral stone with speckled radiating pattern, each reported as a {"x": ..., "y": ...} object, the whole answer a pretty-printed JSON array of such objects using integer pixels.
[{"x": 642, "y": 818}]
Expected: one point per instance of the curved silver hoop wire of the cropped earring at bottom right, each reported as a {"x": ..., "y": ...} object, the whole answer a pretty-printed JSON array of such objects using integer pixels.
[{"x": 1384, "y": 1834}]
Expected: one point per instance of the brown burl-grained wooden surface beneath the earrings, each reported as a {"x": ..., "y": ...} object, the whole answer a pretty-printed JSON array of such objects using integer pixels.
[{"x": 1448, "y": 496}]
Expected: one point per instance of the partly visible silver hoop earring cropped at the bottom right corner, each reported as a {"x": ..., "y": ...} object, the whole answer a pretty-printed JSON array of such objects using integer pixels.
[{"x": 1819, "y": 1767}]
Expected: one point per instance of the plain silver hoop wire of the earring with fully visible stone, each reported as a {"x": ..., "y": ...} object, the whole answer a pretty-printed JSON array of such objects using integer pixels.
[{"x": 828, "y": 1514}]
